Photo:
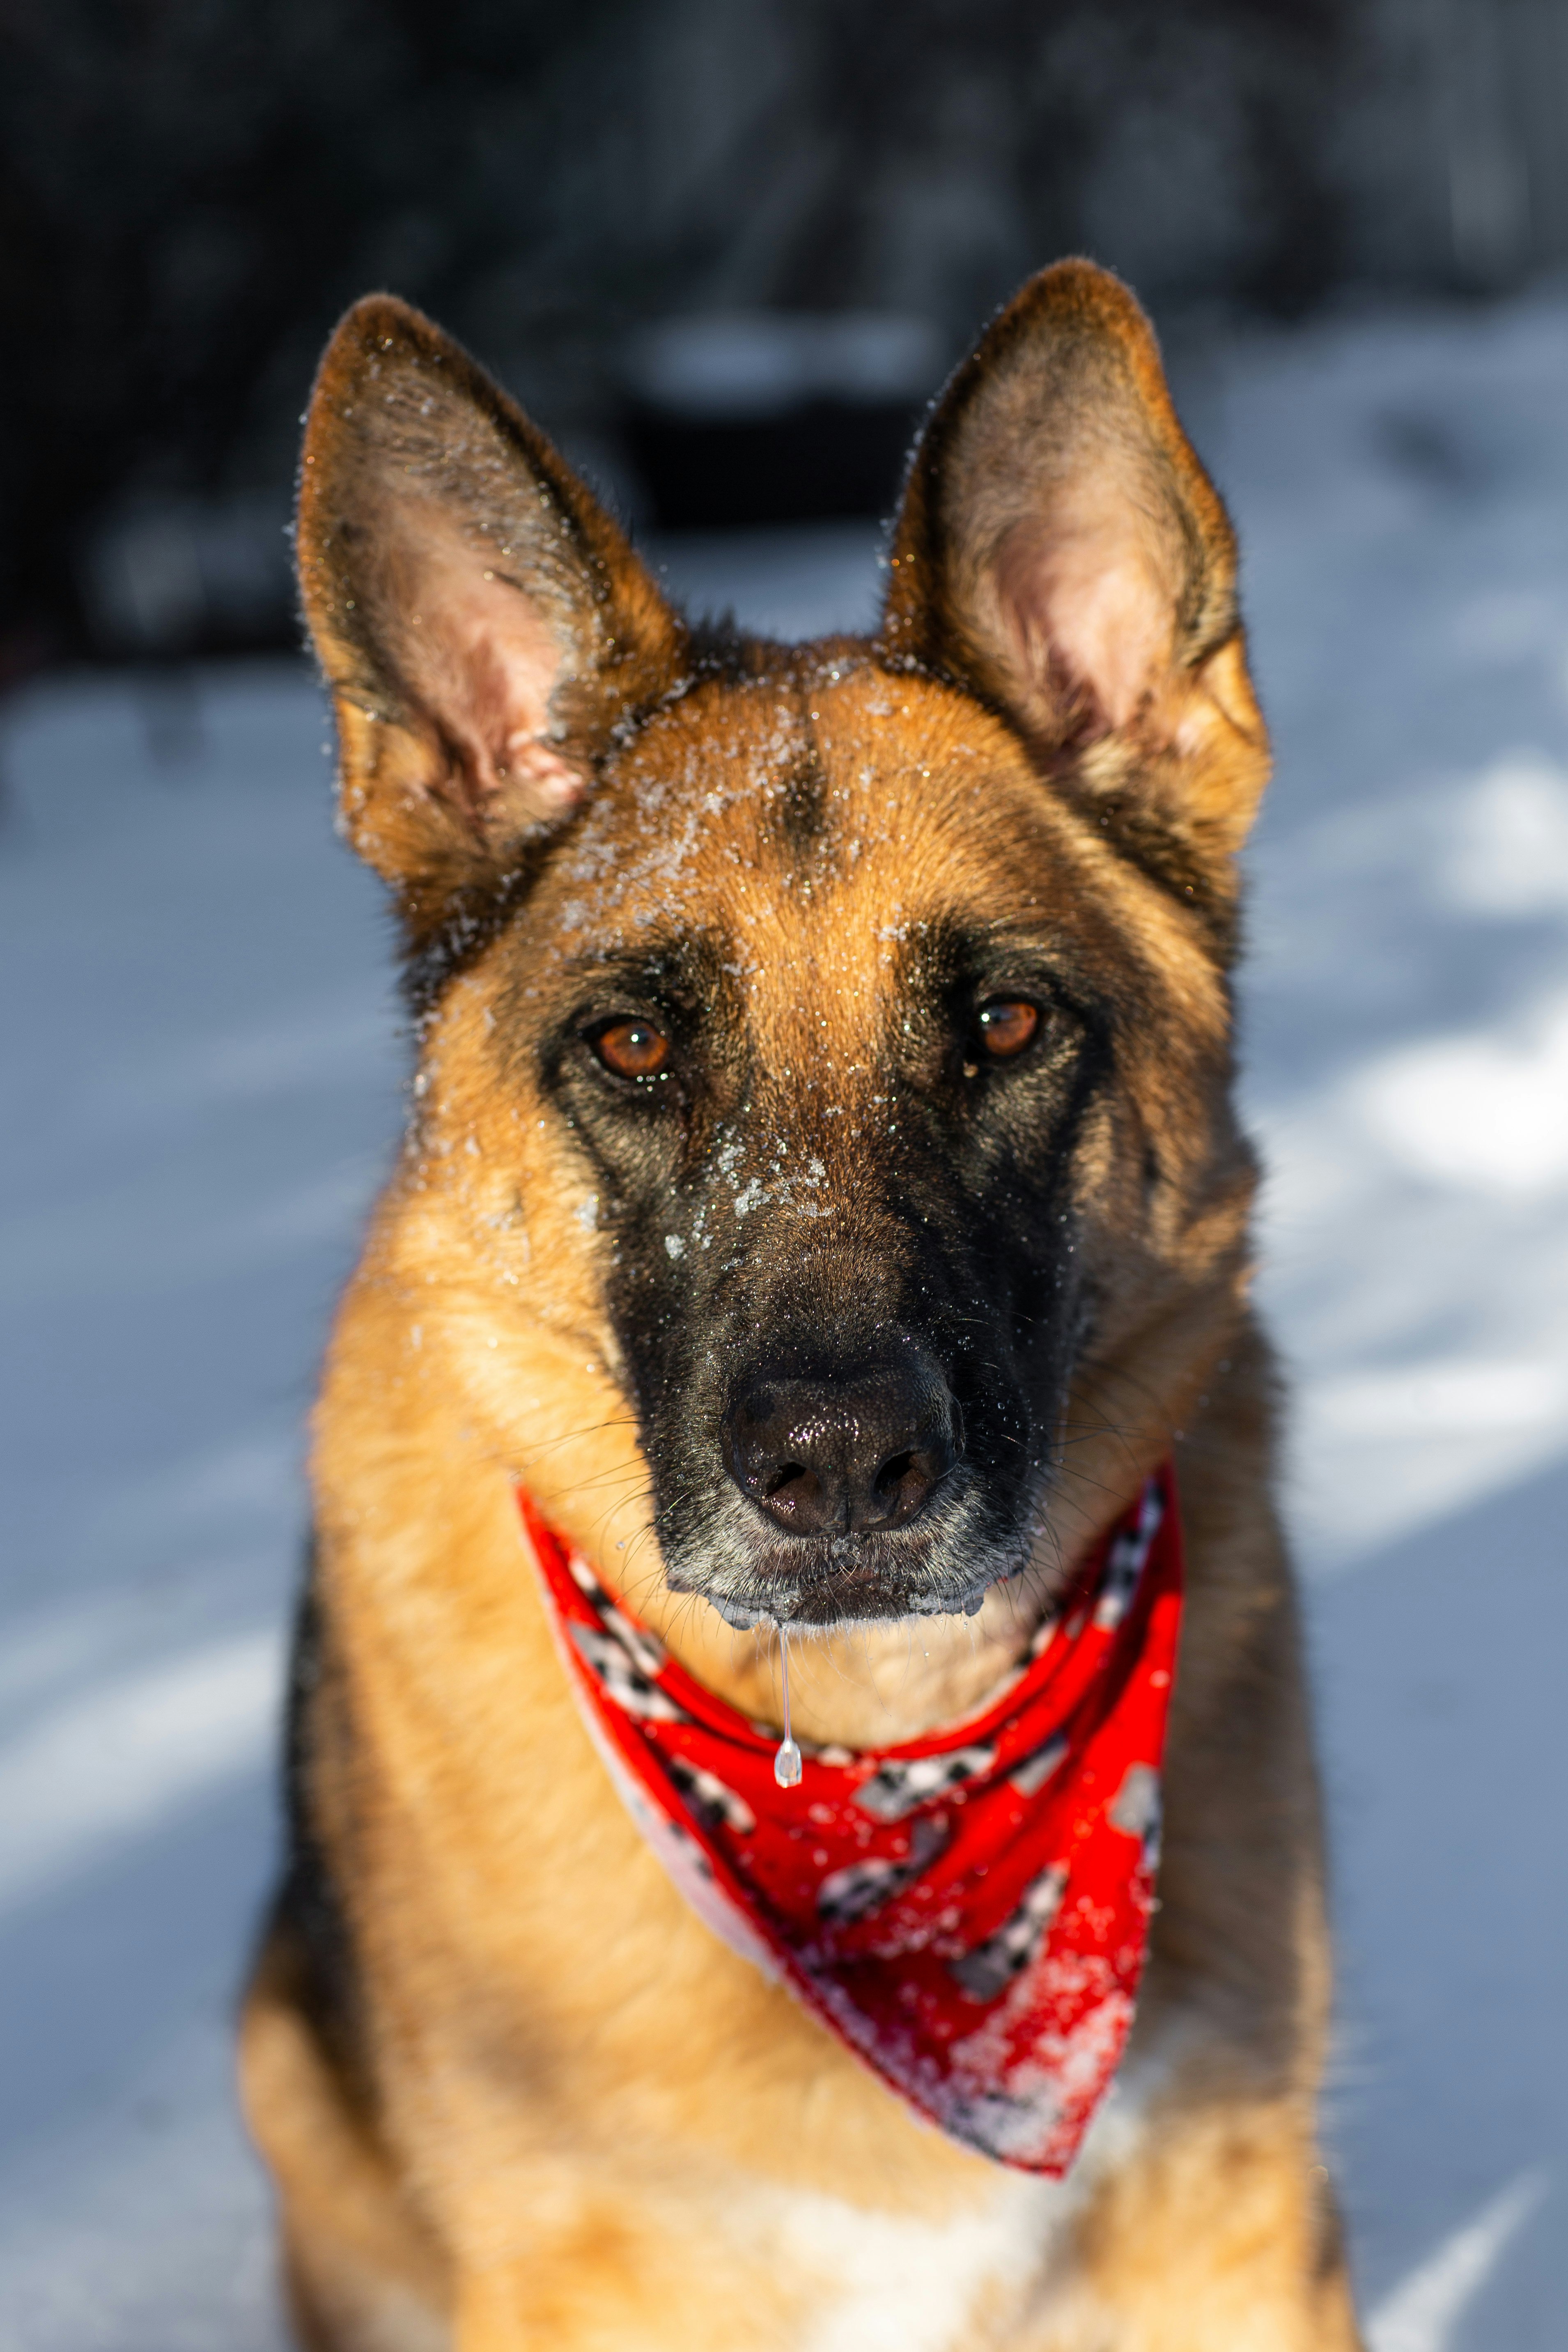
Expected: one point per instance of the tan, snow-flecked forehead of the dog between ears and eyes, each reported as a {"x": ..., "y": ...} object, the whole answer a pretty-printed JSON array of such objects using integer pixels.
[{"x": 817, "y": 827}]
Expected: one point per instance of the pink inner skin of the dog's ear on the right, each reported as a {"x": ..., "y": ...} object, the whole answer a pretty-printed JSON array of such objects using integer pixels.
[{"x": 1087, "y": 608}]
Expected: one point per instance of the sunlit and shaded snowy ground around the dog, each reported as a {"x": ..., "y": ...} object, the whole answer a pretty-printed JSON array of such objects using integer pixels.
[{"x": 203, "y": 1085}]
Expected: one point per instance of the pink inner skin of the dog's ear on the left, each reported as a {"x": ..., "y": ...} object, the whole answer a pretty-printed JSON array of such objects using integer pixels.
[{"x": 483, "y": 662}]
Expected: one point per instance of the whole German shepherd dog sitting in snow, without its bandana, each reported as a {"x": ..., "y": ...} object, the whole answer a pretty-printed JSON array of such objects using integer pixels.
[{"x": 840, "y": 1024}]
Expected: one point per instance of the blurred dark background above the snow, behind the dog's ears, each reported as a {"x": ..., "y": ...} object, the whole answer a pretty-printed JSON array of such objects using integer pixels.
[{"x": 721, "y": 248}]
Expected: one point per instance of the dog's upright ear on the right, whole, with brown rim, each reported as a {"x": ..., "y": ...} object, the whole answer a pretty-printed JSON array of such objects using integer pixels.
[{"x": 1064, "y": 552}]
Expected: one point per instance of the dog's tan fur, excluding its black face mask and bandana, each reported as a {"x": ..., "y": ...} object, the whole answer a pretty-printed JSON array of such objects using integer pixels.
[{"x": 568, "y": 2116}]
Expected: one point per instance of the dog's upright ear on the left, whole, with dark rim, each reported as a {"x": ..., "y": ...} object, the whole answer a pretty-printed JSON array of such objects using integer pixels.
[{"x": 481, "y": 620}]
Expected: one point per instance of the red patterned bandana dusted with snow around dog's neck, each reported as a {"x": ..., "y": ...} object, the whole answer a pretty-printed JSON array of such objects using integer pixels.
[{"x": 970, "y": 1911}]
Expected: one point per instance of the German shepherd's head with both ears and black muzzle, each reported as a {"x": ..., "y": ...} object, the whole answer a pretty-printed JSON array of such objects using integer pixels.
[{"x": 833, "y": 1041}]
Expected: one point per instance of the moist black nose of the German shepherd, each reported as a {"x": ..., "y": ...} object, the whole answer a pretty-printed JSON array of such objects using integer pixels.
[{"x": 843, "y": 1457}]
